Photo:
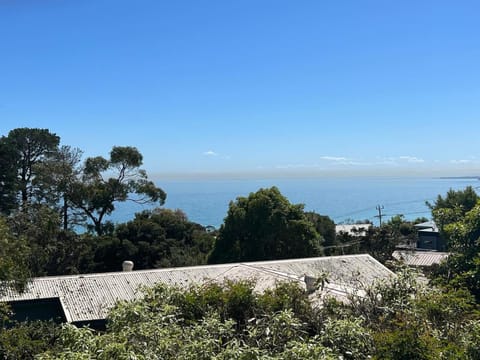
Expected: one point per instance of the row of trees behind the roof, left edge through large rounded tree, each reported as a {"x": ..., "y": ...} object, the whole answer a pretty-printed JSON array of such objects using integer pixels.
[{"x": 55, "y": 206}]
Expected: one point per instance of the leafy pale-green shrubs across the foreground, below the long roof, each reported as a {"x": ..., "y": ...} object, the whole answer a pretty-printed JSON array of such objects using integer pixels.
[{"x": 396, "y": 319}]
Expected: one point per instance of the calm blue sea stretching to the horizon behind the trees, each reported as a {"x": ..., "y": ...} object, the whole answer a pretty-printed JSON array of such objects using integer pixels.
[{"x": 341, "y": 198}]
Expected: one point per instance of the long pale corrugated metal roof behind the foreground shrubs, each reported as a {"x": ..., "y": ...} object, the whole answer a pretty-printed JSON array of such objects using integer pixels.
[{"x": 89, "y": 297}]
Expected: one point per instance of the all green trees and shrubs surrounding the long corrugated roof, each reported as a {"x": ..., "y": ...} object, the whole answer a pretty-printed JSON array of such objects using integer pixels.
[{"x": 48, "y": 193}]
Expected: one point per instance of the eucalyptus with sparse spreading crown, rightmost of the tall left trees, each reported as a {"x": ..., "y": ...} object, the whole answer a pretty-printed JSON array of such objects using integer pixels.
[{"x": 104, "y": 182}]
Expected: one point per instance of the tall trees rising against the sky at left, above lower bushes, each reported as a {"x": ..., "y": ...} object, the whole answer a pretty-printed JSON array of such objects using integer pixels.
[{"x": 35, "y": 170}]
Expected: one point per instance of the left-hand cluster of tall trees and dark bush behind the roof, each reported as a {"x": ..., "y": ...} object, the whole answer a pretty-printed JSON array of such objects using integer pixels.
[{"x": 48, "y": 194}]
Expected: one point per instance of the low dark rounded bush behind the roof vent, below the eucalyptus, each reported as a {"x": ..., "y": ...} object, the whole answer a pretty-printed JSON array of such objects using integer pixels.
[{"x": 158, "y": 238}]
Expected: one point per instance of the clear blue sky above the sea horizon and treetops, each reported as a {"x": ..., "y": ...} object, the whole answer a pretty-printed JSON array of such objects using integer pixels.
[{"x": 250, "y": 87}]
